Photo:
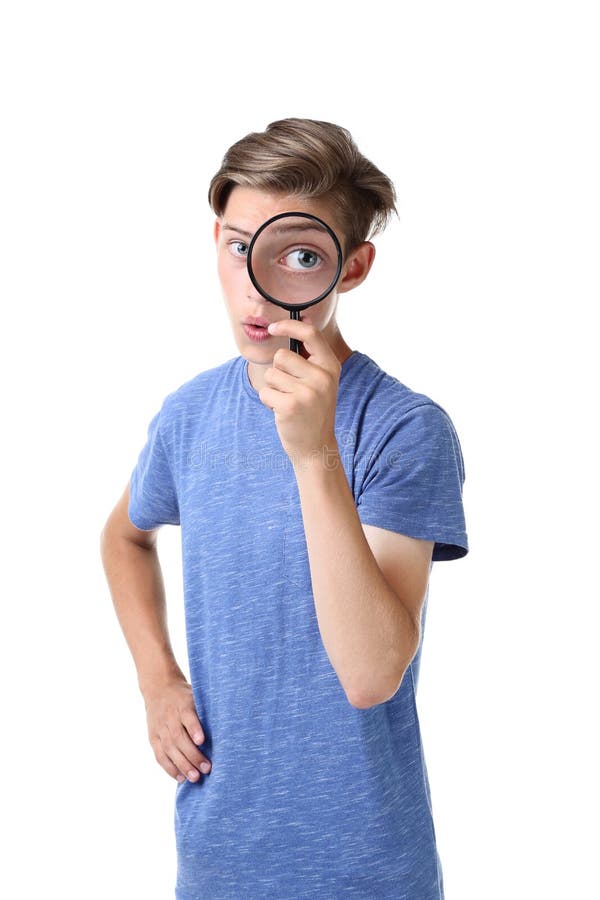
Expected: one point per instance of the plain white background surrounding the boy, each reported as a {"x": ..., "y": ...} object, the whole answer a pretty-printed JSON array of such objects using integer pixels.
[{"x": 115, "y": 116}]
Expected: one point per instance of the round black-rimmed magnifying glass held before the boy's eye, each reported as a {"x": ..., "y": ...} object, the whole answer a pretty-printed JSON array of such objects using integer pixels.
[{"x": 294, "y": 260}]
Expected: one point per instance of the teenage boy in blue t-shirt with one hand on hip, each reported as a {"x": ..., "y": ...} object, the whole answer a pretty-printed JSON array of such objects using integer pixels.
[{"x": 314, "y": 491}]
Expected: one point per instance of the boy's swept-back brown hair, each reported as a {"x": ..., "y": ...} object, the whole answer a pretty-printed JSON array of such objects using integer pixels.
[{"x": 310, "y": 159}]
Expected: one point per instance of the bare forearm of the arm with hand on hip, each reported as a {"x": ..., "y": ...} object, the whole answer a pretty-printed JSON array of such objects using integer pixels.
[{"x": 137, "y": 589}]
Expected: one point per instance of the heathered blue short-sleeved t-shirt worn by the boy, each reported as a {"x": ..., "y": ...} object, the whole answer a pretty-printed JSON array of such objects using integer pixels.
[{"x": 308, "y": 796}]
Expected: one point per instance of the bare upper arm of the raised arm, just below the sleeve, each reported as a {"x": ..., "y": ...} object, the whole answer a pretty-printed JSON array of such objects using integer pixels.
[{"x": 404, "y": 563}]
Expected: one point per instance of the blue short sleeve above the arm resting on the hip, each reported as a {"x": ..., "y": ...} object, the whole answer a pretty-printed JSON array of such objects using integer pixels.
[{"x": 152, "y": 492}]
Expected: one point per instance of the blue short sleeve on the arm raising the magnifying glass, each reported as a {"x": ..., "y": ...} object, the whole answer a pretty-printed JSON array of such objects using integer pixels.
[{"x": 413, "y": 483}]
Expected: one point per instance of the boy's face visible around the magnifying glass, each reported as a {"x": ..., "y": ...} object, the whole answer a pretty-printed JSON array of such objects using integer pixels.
[{"x": 246, "y": 210}]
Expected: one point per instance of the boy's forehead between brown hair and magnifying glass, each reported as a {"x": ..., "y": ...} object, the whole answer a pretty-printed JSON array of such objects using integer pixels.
[{"x": 247, "y": 208}]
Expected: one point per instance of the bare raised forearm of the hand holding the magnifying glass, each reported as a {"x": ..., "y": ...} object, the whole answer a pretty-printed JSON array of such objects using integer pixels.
[{"x": 366, "y": 631}]
